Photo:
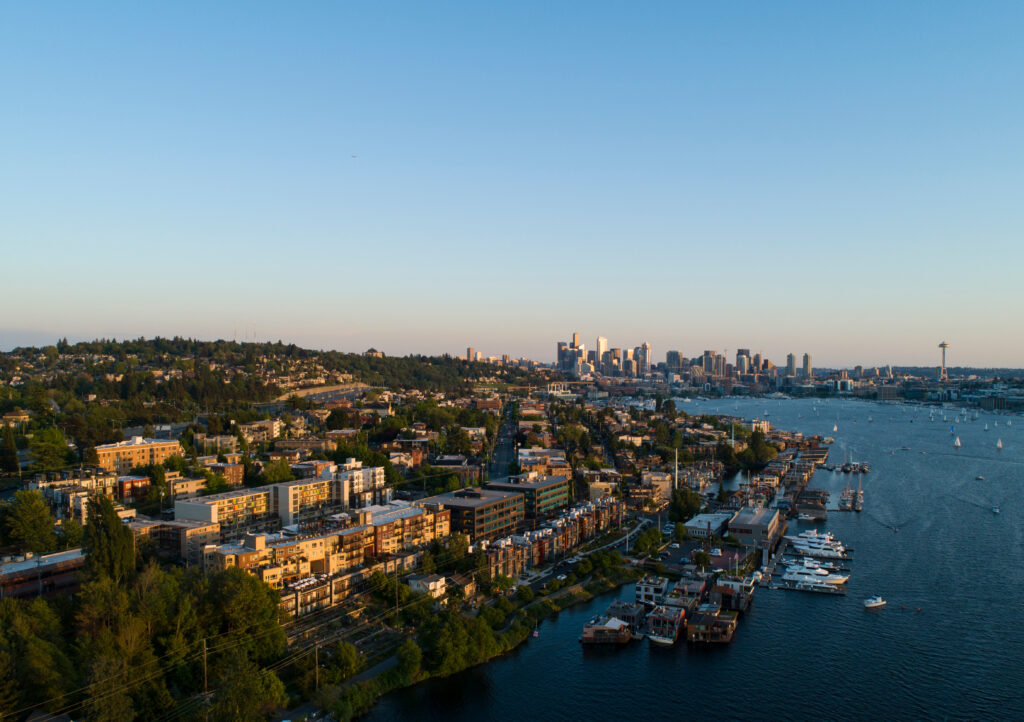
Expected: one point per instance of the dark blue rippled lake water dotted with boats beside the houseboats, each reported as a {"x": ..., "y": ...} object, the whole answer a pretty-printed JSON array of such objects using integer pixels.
[{"x": 801, "y": 656}]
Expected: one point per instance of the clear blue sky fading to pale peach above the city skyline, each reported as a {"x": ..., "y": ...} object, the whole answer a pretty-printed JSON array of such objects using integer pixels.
[{"x": 845, "y": 180}]
